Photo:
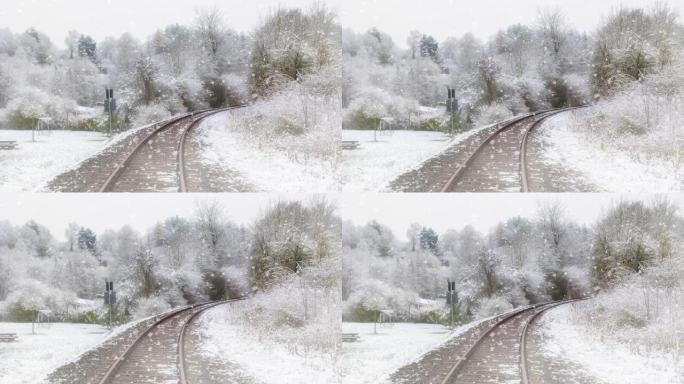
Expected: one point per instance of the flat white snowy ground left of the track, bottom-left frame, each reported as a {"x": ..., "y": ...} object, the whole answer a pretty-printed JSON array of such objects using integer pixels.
[{"x": 31, "y": 358}]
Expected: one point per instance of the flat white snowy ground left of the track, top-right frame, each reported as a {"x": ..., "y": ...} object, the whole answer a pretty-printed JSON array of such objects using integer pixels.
[{"x": 382, "y": 158}]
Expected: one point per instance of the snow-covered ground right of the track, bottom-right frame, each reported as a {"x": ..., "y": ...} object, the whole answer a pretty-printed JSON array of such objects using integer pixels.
[{"x": 603, "y": 358}]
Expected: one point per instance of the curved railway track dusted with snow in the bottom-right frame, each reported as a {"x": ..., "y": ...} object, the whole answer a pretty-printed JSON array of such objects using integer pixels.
[{"x": 504, "y": 344}]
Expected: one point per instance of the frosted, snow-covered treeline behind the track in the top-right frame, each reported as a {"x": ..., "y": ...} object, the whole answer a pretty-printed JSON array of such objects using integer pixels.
[{"x": 520, "y": 69}]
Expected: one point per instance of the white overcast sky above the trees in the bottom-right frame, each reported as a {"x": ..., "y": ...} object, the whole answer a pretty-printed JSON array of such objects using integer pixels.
[{"x": 482, "y": 211}]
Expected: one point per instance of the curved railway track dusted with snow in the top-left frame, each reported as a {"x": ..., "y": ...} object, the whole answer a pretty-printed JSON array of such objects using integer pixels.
[{"x": 158, "y": 161}]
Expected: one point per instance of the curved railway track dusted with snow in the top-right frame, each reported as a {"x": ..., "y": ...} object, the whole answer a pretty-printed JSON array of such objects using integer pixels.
[{"x": 502, "y": 154}]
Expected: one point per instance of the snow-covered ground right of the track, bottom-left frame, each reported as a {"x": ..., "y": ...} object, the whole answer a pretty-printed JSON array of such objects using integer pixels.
[{"x": 267, "y": 362}]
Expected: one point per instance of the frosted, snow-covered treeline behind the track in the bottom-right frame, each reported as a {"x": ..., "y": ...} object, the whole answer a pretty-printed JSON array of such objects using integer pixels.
[{"x": 520, "y": 261}]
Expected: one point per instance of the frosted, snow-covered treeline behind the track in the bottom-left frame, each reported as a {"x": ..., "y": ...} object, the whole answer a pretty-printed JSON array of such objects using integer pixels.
[{"x": 176, "y": 262}]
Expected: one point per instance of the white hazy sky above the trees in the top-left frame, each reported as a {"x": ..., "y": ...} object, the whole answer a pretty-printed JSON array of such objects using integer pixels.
[{"x": 103, "y": 18}]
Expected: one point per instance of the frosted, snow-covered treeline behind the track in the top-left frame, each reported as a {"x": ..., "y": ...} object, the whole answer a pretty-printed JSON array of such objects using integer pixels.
[{"x": 177, "y": 69}]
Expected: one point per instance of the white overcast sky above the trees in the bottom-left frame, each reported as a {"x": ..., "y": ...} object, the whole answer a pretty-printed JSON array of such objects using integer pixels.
[{"x": 113, "y": 211}]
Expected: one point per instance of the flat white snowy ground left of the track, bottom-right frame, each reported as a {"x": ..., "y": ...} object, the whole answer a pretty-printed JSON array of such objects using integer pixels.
[{"x": 375, "y": 356}]
